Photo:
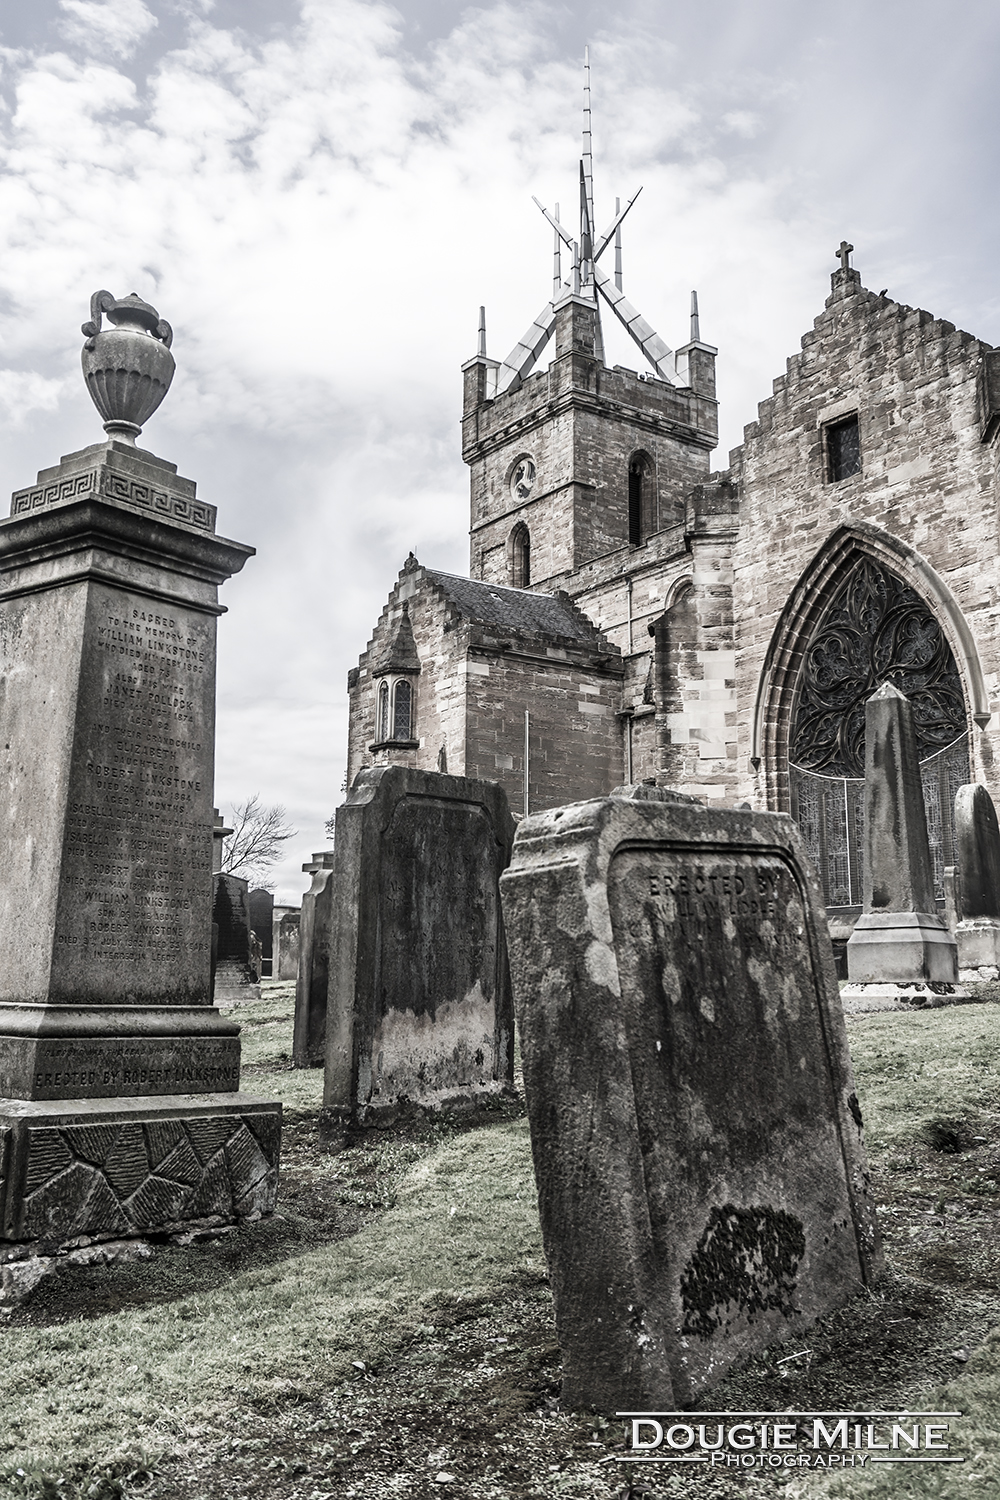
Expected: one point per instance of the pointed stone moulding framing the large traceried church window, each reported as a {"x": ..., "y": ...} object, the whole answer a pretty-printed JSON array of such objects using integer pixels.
[{"x": 801, "y": 617}]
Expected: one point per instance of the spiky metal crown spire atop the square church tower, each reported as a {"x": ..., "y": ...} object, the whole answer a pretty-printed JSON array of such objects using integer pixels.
[{"x": 587, "y": 278}]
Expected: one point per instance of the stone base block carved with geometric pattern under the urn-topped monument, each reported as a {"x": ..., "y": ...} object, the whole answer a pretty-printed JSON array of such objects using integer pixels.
[{"x": 133, "y": 1166}]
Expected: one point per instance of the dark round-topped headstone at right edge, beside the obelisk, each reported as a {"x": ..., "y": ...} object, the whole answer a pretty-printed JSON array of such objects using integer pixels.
[{"x": 978, "y": 896}]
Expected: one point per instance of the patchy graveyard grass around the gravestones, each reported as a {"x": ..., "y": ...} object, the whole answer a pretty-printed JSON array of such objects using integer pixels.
[{"x": 391, "y": 1331}]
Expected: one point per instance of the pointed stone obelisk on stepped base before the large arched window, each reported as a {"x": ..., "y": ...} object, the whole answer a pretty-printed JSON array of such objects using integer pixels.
[{"x": 900, "y": 953}]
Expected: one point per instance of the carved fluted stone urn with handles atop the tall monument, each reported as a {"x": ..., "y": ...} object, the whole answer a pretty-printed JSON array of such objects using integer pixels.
[{"x": 130, "y": 367}]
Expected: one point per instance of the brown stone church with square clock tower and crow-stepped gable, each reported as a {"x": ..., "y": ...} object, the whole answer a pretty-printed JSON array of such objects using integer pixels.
[{"x": 632, "y": 614}]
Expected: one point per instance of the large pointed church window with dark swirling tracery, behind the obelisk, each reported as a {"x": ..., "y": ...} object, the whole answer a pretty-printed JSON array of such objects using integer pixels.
[{"x": 876, "y": 631}]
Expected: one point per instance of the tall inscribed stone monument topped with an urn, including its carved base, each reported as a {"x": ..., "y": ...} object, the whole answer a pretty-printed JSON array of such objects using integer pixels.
[{"x": 121, "y": 1108}]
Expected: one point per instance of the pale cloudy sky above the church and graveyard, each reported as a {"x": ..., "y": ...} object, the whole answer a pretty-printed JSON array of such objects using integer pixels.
[{"x": 320, "y": 196}]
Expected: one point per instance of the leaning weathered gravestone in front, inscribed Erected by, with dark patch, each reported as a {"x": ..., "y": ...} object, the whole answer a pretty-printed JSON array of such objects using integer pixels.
[{"x": 696, "y": 1135}]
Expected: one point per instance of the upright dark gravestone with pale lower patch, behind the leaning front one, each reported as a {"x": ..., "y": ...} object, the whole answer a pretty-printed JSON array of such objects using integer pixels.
[{"x": 419, "y": 1009}]
